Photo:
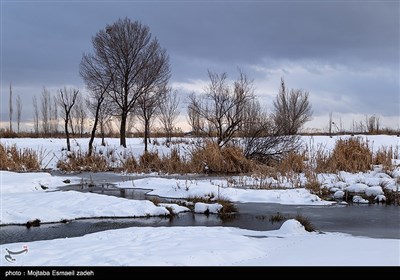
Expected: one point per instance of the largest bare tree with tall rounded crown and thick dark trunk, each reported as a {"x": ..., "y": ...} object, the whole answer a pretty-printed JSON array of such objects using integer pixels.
[{"x": 126, "y": 54}]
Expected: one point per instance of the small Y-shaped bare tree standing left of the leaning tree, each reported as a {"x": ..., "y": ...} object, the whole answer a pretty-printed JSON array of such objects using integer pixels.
[{"x": 66, "y": 100}]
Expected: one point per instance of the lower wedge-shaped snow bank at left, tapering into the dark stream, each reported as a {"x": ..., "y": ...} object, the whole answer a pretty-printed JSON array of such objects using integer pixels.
[{"x": 56, "y": 206}]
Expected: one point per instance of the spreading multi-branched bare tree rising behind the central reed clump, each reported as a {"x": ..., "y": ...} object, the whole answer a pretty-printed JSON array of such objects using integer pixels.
[{"x": 222, "y": 107}]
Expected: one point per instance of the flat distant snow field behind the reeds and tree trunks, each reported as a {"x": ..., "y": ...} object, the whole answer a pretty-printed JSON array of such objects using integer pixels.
[{"x": 53, "y": 149}]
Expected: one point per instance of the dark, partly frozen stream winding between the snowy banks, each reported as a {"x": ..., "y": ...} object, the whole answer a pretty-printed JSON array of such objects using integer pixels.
[{"x": 377, "y": 221}]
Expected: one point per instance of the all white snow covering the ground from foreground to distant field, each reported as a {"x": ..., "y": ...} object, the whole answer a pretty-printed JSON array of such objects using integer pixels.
[{"x": 29, "y": 196}]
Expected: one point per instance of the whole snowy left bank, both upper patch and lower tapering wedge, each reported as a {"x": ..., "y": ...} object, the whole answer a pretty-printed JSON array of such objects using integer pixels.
[{"x": 23, "y": 199}]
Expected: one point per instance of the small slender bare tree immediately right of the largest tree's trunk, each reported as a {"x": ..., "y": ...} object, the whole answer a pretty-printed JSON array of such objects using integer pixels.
[{"x": 147, "y": 106}]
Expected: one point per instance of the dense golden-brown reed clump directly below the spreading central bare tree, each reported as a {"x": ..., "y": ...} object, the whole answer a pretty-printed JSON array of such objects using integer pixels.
[{"x": 210, "y": 158}]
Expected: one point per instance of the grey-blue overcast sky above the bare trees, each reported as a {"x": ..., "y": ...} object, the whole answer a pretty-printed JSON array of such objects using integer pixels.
[{"x": 345, "y": 53}]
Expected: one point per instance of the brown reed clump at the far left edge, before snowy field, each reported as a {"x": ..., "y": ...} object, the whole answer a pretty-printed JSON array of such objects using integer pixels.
[{"x": 14, "y": 159}]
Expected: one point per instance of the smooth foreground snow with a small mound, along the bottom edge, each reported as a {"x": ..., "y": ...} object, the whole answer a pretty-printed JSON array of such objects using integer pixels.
[{"x": 291, "y": 245}]
